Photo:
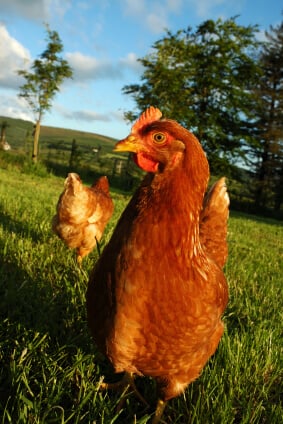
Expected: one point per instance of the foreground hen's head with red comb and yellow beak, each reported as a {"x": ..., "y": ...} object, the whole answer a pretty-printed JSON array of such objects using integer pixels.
[{"x": 158, "y": 144}]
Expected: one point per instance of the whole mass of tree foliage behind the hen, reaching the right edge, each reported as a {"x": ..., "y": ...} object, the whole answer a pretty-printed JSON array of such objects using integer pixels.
[{"x": 225, "y": 86}]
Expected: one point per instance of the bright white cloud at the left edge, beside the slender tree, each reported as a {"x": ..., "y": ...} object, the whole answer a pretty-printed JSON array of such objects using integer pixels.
[{"x": 13, "y": 57}]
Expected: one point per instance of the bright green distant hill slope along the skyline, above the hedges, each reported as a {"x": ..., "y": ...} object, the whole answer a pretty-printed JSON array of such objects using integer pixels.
[{"x": 19, "y": 134}]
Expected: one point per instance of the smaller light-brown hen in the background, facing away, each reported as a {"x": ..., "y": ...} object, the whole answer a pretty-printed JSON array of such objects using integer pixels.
[{"x": 82, "y": 214}]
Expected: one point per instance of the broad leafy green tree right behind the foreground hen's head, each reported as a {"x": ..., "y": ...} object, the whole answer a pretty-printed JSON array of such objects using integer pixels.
[{"x": 203, "y": 79}]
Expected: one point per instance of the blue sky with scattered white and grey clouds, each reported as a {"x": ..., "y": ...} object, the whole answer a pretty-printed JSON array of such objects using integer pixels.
[{"x": 102, "y": 41}]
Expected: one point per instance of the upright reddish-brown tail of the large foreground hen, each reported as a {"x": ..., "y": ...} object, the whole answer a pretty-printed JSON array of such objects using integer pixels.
[{"x": 213, "y": 222}]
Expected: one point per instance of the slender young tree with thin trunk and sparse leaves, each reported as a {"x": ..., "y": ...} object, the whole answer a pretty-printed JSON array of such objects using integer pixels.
[{"x": 43, "y": 82}]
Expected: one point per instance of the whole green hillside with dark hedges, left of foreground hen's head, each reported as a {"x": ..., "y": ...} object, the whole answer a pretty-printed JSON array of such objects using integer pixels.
[{"x": 64, "y": 150}]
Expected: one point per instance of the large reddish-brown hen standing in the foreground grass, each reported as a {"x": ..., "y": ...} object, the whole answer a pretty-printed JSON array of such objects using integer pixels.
[{"x": 156, "y": 295}]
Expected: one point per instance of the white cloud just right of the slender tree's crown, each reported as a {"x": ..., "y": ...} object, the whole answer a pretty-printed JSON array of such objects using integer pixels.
[{"x": 89, "y": 68}]
